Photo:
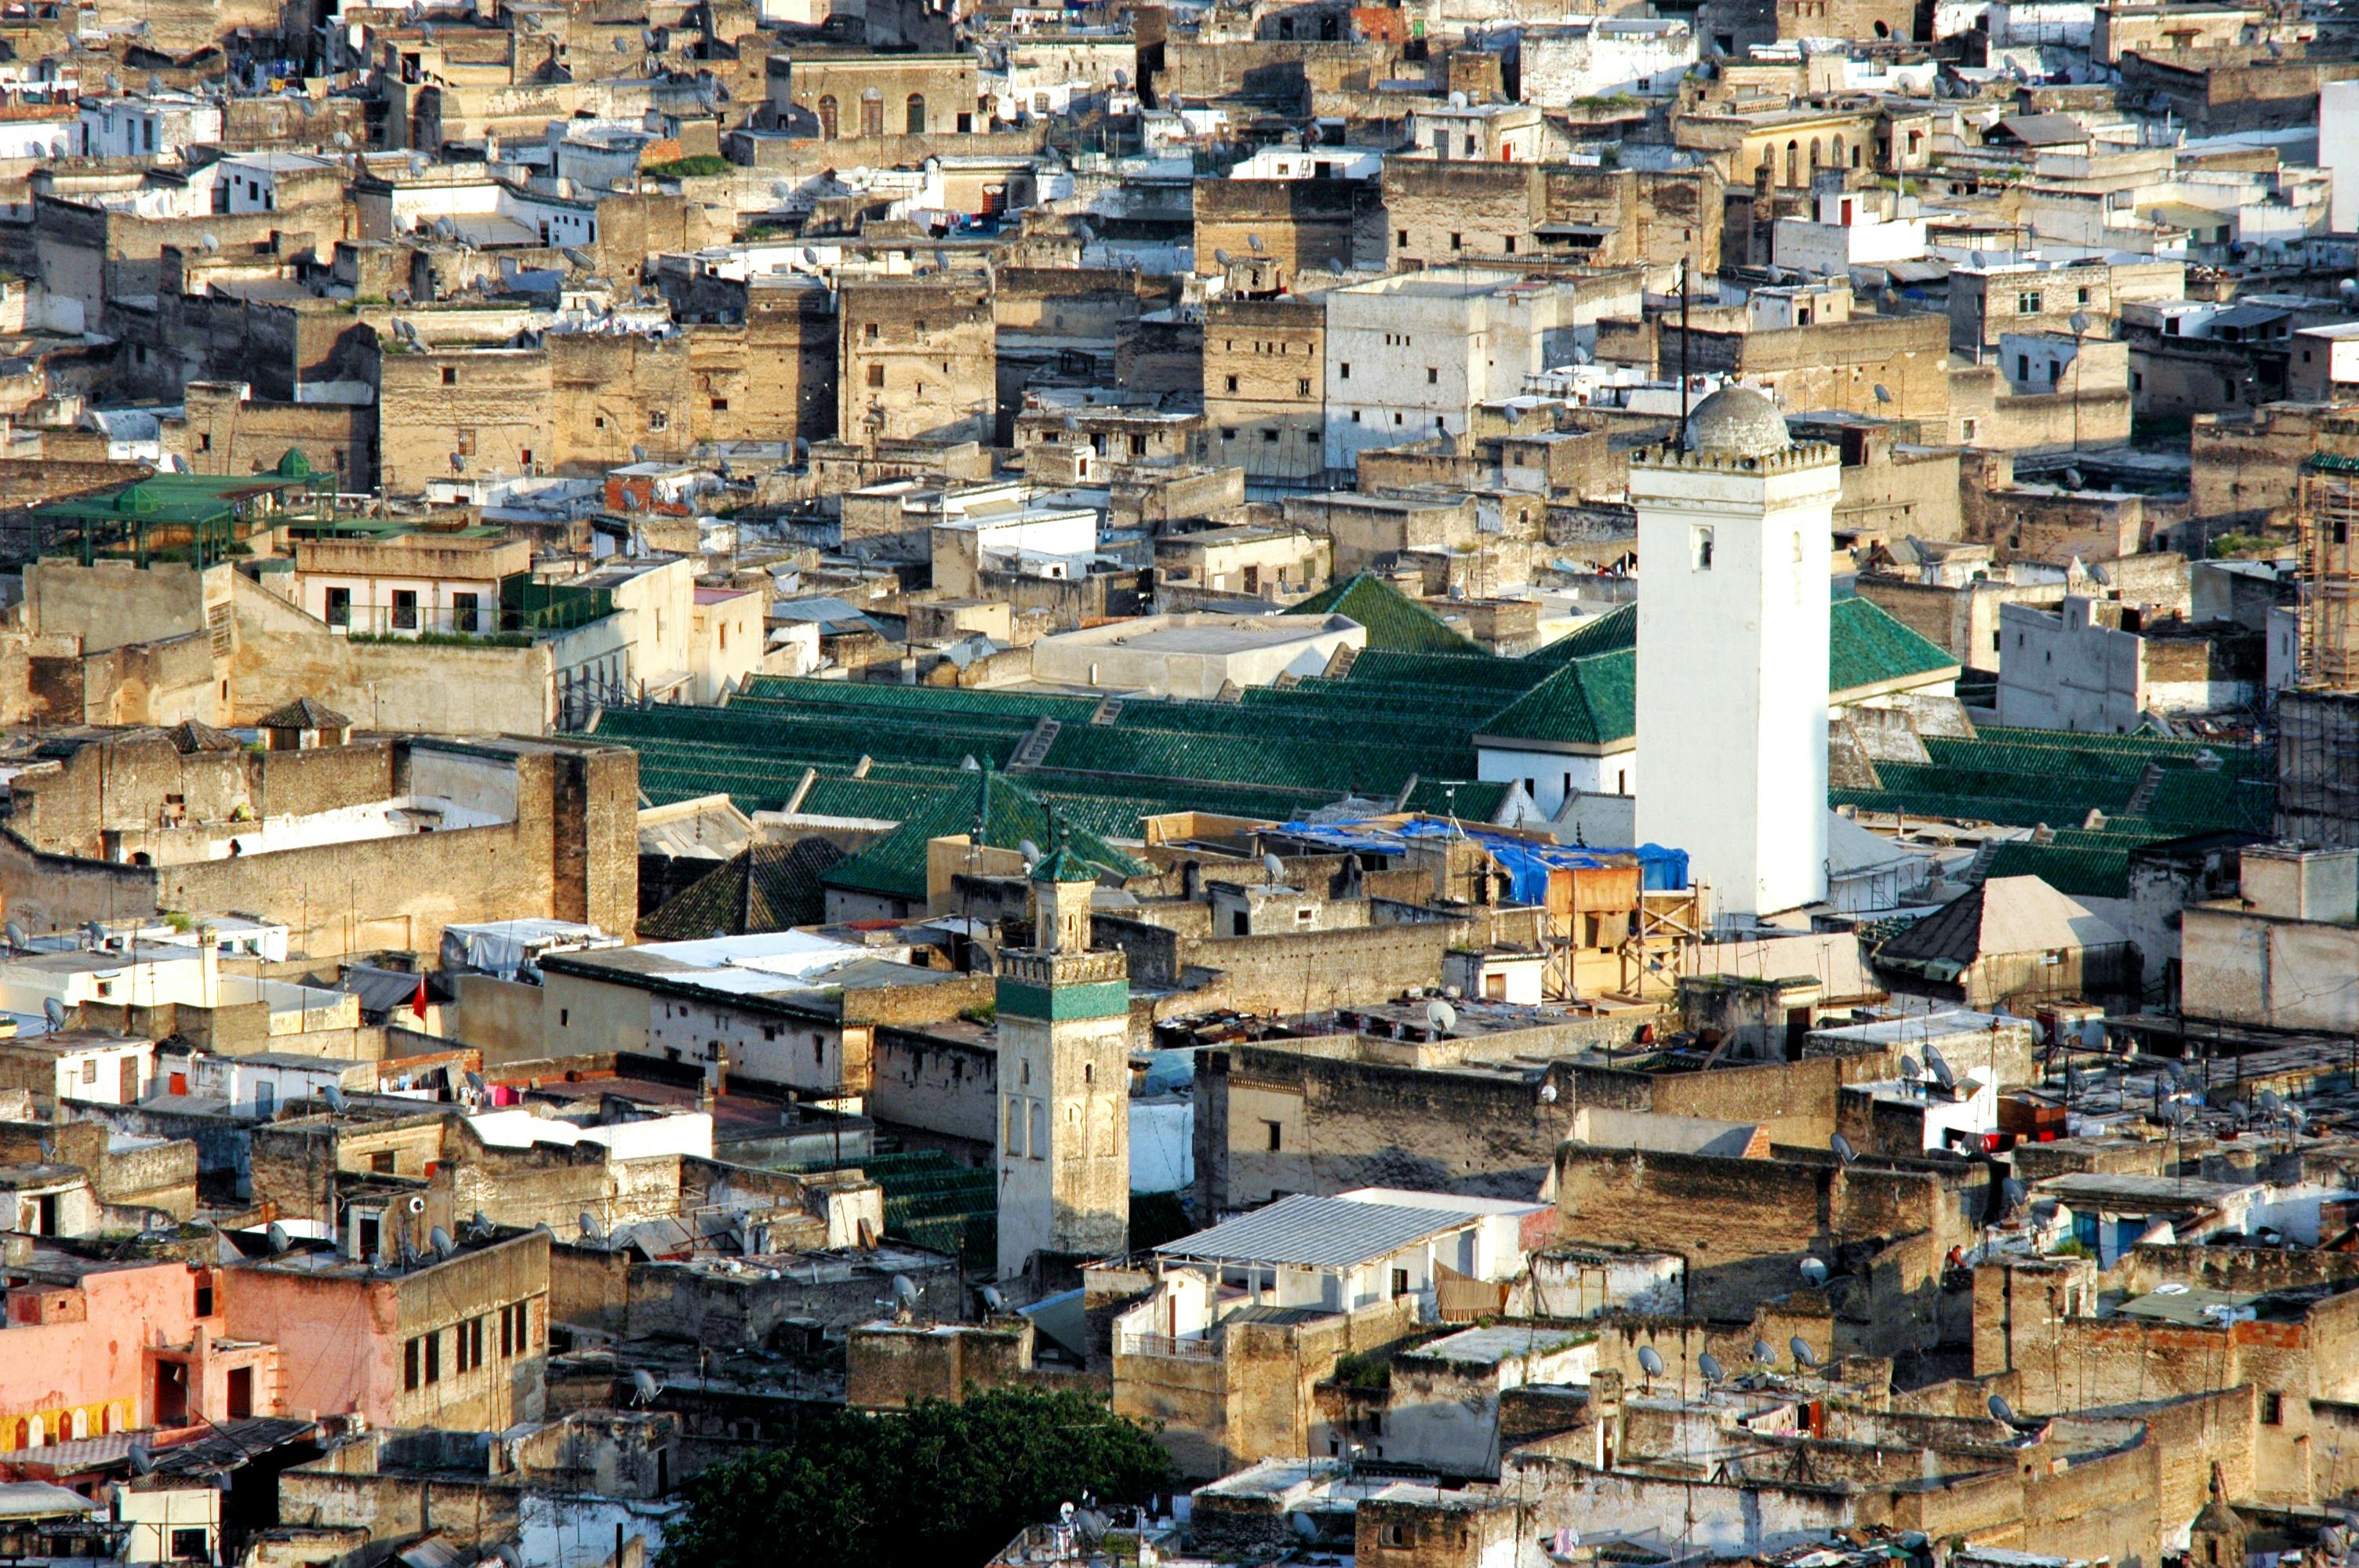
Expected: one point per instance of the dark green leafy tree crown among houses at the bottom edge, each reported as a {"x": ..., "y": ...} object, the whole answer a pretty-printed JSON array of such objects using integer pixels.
[{"x": 942, "y": 1482}]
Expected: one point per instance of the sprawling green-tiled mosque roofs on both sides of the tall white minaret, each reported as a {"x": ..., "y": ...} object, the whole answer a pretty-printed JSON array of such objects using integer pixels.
[{"x": 1400, "y": 727}]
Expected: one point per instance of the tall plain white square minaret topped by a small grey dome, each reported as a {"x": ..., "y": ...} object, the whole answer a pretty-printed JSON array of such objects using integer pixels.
[{"x": 1735, "y": 529}]
